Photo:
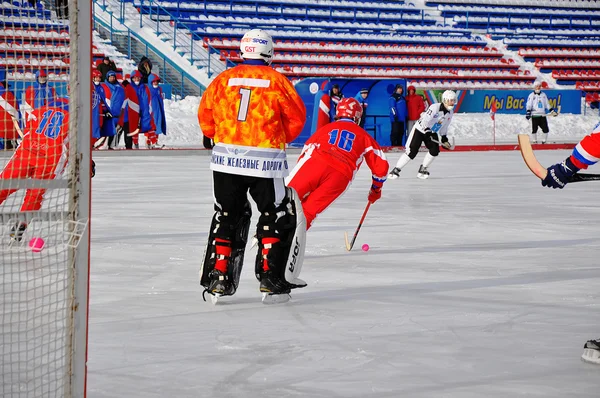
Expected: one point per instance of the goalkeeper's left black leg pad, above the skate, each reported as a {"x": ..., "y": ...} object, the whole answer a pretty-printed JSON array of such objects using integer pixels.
[{"x": 238, "y": 235}]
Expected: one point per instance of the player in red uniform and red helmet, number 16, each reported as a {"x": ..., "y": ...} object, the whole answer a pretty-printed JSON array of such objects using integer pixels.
[{"x": 331, "y": 158}]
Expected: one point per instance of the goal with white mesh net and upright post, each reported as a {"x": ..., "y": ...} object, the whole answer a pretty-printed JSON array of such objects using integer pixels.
[{"x": 45, "y": 162}]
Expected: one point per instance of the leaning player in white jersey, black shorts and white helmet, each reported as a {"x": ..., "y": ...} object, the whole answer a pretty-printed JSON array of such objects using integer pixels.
[{"x": 432, "y": 125}]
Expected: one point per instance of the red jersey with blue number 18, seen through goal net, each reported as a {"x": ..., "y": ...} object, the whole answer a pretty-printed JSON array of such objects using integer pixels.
[{"x": 46, "y": 136}]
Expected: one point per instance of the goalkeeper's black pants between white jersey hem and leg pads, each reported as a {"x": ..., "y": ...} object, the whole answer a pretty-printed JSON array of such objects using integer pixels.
[{"x": 231, "y": 193}]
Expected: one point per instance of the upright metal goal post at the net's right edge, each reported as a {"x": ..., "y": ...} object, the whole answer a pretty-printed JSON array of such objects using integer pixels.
[{"x": 80, "y": 32}]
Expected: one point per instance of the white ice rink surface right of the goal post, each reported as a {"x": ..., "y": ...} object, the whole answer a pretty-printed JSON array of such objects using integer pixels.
[{"x": 478, "y": 283}]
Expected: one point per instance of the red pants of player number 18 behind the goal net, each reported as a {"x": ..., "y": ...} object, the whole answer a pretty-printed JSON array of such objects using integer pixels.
[{"x": 23, "y": 165}]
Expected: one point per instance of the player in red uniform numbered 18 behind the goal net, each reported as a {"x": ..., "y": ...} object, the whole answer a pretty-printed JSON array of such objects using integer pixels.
[{"x": 39, "y": 156}]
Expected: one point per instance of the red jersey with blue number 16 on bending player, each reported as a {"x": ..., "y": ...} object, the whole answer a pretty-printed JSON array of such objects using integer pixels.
[{"x": 346, "y": 145}]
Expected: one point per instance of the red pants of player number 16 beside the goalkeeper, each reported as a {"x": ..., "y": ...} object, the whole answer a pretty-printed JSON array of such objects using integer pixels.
[{"x": 318, "y": 185}]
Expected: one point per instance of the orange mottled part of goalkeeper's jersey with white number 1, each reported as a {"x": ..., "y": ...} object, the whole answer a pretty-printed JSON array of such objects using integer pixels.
[{"x": 252, "y": 106}]
